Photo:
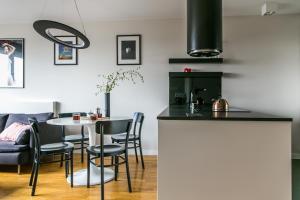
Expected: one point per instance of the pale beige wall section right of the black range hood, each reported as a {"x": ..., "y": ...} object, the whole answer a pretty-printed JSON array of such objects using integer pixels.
[{"x": 262, "y": 66}]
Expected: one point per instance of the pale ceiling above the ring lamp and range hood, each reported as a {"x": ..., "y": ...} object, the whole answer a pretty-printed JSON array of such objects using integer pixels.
[{"x": 26, "y": 11}]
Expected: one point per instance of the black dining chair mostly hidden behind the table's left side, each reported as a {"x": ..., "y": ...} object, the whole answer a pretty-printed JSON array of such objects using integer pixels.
[{"x": 80, "y": 140}]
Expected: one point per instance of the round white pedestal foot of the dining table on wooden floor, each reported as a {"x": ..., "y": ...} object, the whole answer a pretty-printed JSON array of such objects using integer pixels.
[{"x": 80, "y": 177}]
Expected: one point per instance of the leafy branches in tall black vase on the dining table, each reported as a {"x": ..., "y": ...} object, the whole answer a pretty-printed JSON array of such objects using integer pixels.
[{"x": 109, "y": 81}]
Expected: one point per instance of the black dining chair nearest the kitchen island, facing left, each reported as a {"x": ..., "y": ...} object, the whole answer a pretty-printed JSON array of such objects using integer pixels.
[{"x": 135, "y": 139}]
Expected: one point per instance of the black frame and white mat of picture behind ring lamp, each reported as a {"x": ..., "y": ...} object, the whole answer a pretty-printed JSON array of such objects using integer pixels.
[{"x": 74, "y": 61}]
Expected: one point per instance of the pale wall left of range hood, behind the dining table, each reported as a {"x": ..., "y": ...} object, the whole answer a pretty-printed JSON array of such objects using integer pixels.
[{"x": 75, "y": 86}]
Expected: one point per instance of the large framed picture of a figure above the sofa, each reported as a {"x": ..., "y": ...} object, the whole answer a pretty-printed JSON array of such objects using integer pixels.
[{"x": 12, "y": 63}]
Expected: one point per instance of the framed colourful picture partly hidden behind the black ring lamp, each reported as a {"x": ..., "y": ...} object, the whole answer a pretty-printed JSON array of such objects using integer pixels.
[{"x": 64, "y": 55}]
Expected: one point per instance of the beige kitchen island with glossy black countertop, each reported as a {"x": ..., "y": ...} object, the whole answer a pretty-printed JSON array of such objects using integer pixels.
[{"x": 237, "y": 155}]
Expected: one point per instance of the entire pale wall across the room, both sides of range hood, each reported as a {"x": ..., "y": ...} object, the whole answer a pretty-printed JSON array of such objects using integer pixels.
[{"x": 262, "y": 68}]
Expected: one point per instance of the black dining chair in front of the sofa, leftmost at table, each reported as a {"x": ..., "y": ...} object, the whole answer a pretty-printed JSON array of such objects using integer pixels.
[{"x": 65, "y": 148}]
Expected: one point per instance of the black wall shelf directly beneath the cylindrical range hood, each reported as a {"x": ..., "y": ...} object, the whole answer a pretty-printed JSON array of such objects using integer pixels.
[{"x": 194, "y": 60}]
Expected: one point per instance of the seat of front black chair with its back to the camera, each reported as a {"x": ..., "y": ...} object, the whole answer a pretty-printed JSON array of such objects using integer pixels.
[{"x": 109, "y": 149}]
